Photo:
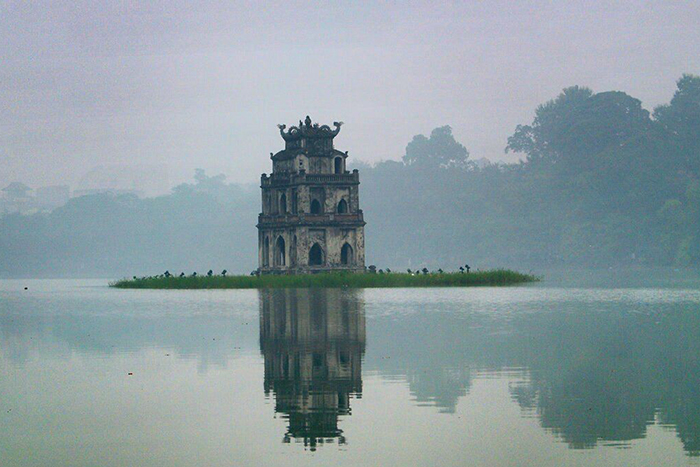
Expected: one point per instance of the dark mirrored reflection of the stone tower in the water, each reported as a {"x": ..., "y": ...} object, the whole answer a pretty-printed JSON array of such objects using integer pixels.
[{"x": 313, "y": 343}]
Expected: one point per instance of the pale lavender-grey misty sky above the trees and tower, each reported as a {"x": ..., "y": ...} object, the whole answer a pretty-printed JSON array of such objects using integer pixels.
[{"x": 176, "y": 85}]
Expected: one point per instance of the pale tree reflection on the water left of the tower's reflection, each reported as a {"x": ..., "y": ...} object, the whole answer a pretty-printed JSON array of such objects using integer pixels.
[{"x": 211, "y": 339}]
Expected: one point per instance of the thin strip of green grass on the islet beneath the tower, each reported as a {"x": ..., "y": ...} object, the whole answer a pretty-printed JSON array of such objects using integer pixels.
[{"x": 496, "y": 277}]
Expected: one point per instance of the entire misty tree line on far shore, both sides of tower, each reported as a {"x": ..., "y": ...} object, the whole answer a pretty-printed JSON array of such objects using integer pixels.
[{"x": 602, "y": 183}]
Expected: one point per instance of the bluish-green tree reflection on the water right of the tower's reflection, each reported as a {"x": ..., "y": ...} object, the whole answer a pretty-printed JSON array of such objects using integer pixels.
[{"x": 594, "y": 372}]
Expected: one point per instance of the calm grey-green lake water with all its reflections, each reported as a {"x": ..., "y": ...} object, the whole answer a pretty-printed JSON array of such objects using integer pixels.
[{"x": 589, "y": 369}]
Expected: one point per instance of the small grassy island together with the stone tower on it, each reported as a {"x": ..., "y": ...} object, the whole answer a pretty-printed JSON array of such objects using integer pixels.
[{"x": 311, "y": 230}]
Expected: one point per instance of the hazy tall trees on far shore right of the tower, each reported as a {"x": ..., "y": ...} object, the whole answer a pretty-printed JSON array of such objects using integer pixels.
[{"x": 602, "y": 183}]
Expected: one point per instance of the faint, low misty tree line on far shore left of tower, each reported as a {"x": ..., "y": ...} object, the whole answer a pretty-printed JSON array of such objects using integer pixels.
[{"x": 204, "y": 225}]
